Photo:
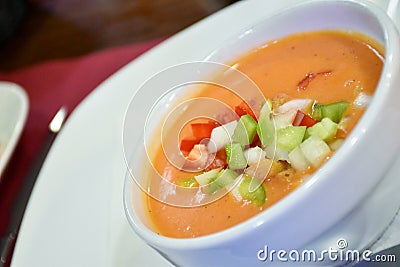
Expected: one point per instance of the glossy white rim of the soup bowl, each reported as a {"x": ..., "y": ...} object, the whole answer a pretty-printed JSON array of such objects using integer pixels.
[{"x": 318, "y": 177}]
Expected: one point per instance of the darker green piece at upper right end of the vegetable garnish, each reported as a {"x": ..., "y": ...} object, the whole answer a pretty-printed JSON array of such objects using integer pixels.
[{"x": 334, "y": 111}]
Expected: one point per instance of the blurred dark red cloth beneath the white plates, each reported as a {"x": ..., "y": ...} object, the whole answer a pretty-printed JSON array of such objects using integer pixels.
[{"x": 49, "y": 86}]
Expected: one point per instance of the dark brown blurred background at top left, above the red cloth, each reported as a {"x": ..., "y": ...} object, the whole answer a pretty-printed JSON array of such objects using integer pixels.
[{"x": 53, "y": 29}]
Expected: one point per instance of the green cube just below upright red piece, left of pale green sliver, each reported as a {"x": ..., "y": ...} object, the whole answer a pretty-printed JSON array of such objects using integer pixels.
[{"x": 245, "y": 130}]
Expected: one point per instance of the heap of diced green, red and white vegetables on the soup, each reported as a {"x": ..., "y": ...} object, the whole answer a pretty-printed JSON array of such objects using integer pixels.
[{"x": 288, "y": 139}]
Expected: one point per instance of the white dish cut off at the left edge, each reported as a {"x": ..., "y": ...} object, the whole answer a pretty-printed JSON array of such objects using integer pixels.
[{"x": 13, "y": 112}]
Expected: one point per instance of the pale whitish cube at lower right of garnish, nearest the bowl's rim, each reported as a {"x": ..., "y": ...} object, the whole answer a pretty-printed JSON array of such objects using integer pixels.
[{"x": 315, "y": 150}]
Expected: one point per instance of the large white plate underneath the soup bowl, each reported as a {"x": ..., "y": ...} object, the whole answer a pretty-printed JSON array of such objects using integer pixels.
[{"x": 75, "y": 216}]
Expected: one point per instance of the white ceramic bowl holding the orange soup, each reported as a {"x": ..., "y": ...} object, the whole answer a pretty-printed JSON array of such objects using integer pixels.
[{"x": 353, "y": 196}]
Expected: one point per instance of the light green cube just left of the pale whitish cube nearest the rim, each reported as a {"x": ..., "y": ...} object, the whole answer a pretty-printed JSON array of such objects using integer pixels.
[{"x": 290, "y": 137}]
